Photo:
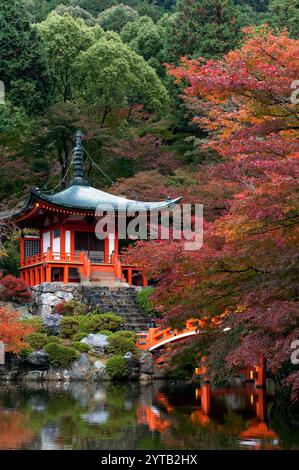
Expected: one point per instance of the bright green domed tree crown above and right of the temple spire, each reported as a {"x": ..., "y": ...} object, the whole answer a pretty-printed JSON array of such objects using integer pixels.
[{"x": 116, "y": 76}]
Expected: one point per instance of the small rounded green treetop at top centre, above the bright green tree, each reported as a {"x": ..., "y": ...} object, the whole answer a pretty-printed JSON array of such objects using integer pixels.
[{"x": 116, "y": 17}]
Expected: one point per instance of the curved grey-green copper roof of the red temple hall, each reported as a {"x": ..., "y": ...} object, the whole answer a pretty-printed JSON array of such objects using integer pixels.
[{"x": 89, "y": 198}]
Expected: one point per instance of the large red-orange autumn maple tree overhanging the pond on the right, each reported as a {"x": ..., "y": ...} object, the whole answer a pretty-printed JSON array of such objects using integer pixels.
[{"x": 248, "y": 265}]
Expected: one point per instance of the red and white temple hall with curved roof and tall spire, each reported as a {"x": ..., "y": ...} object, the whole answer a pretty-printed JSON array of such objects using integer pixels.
[{"x": 65, "y": 247}]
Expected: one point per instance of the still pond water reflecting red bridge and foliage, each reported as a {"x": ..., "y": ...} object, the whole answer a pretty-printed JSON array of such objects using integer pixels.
[{"x": 131, "y": 416}]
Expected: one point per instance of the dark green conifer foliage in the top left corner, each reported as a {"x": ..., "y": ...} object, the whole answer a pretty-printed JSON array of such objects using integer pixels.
[{"x": 23, "y": 67}]
